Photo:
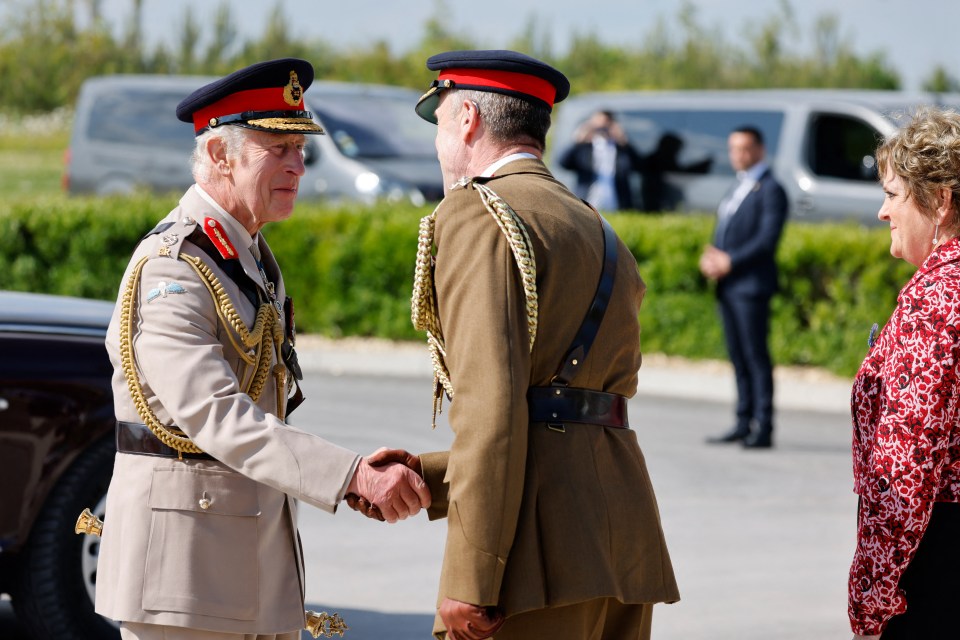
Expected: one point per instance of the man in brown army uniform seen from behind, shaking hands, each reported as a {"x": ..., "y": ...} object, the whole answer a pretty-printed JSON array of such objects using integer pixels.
[{"x": 553, "y": 529}]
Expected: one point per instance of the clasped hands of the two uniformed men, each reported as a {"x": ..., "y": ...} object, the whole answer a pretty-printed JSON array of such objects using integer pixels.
[{"x": 388, "y": 485}]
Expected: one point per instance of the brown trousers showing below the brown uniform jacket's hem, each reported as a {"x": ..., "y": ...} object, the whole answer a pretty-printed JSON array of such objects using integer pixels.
[{"x": 601, "y": 619}]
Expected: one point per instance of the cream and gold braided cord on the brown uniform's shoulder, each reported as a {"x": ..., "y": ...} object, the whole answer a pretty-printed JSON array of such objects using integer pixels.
[{"x": 423, "y": 307}]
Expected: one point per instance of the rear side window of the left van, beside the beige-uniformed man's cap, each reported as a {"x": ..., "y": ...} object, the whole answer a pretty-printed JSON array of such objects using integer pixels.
[{"x": 133, "y": 117}]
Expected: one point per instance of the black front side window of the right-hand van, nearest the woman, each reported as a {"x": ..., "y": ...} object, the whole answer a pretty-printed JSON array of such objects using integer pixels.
[{"x": 842, "y": 147}]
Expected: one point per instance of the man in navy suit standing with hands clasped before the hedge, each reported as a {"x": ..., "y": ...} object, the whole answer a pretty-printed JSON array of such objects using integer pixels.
[{"x": 742, "y": 262}]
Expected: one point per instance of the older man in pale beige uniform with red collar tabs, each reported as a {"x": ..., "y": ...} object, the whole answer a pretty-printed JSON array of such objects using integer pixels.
[{"x": 200, "y": 536}]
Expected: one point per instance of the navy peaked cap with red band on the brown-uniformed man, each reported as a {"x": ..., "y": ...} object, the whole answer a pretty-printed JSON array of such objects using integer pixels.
[{"x": 499, "y": 71}]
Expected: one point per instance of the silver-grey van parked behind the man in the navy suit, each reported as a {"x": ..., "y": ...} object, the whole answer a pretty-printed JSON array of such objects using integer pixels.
[{"x": 820, "y": 143}]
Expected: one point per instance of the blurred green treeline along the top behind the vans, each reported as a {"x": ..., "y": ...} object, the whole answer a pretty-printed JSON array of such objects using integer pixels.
[{"x": 677, "y": 53}]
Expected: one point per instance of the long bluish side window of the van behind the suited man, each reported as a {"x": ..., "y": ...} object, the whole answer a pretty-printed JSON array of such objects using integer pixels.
[{"x": 696, "y": 140}]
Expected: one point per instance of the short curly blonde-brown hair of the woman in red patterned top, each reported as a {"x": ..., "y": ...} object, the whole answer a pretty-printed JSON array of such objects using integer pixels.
[{"x": 925, "y": 153}]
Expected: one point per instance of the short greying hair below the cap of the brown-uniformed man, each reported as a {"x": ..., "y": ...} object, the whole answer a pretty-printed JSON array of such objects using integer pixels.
[{"x": 508, "y": 119}]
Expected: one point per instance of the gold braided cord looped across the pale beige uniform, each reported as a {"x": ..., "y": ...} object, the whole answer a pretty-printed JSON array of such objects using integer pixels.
[{"x": 265, "y": 341}]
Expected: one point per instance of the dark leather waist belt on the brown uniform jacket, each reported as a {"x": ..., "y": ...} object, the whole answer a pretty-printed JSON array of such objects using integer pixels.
[{"x": 558, "y": 405}]
